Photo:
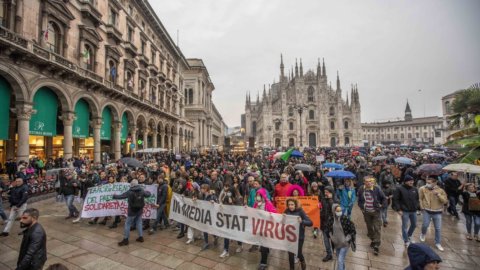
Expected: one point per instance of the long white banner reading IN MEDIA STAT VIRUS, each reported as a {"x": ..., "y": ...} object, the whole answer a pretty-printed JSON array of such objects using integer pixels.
[{"x": 244, "y": 224}]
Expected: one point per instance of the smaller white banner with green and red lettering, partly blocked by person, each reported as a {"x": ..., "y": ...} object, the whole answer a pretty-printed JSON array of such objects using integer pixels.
[{"x": 99, "y": 202}]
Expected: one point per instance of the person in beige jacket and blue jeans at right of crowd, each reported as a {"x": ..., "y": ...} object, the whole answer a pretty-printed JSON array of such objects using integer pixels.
[{"x": 432, "y": 198}]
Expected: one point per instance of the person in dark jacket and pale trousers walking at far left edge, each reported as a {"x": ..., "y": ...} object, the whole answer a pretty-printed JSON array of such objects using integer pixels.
[{"x": 18, "y": 203}]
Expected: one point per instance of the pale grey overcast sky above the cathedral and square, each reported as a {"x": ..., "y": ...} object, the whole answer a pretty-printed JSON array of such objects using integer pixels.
[{"x": 391, "y": 49}]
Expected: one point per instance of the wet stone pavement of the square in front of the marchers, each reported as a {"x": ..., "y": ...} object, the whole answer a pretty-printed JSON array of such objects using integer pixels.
[{"x": 84, "y": 246}]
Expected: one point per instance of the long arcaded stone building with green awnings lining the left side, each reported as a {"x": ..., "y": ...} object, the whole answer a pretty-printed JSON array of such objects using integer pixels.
[{"x": 78, "y": 78}]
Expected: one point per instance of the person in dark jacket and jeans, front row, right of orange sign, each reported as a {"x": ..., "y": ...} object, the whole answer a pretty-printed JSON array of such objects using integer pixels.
[{"x": 342, "y": 234}]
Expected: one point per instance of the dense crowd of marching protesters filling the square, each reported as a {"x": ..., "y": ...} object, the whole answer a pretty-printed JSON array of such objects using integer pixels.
[{"x": 255, "y": 179}]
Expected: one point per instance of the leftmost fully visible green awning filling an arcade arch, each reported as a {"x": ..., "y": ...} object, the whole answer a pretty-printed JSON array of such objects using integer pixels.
[{"x": 44, "y": 121}]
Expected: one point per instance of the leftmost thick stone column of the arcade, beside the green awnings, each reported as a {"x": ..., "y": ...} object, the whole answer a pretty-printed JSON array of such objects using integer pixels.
[{"x": 24, "y": 113}]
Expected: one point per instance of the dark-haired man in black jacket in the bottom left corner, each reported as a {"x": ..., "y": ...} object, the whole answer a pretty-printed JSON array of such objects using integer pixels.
[{"x": 33, "y": 250}]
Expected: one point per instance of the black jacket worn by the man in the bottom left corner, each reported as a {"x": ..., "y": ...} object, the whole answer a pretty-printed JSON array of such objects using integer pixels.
[{"x": 33, "y": 251}]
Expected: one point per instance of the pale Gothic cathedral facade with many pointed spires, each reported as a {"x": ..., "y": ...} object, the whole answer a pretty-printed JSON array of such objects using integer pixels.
[{"x": 303, "y": 110}]
